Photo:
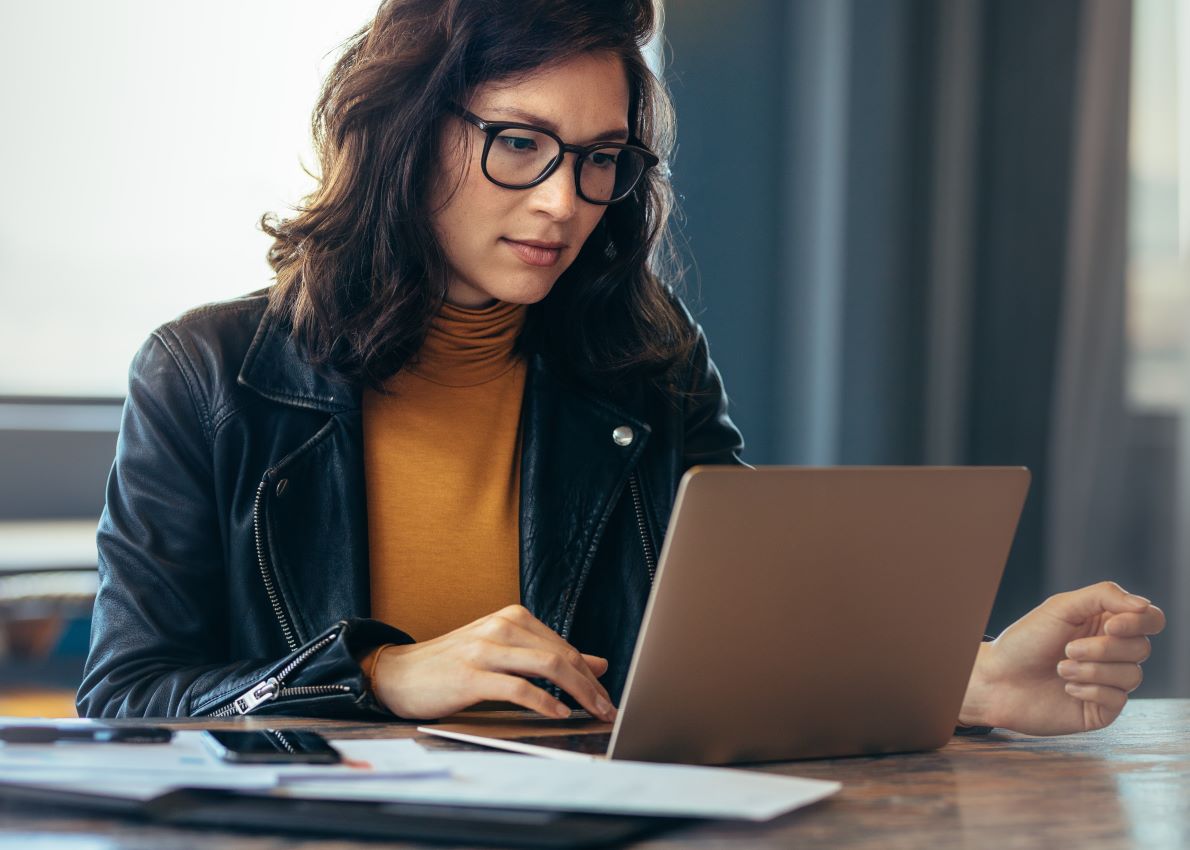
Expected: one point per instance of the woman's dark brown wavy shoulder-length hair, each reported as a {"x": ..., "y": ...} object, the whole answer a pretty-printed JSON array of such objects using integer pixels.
[{"x": 360, "y": 273}]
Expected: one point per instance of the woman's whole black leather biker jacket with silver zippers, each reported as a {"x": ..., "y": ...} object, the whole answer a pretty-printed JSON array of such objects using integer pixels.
[{"x": 234, "y": 546}]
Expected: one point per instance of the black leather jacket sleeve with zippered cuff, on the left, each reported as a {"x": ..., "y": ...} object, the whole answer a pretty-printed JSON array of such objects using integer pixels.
[{"x": 160, "y": 642}]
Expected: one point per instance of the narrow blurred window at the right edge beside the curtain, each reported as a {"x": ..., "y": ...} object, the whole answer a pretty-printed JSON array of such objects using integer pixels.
[{"x": 1160, "y": 198}]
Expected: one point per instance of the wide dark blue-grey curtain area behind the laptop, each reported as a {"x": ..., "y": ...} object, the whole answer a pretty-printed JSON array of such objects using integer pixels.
[{"x": 906, "y": 222}]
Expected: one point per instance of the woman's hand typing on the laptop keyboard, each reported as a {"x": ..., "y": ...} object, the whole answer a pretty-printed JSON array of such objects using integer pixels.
[{"x": 492, "y": 659}]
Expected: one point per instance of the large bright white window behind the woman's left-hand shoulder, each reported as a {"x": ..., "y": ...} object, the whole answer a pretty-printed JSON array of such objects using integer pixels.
[{"x": 142, "y": 143}]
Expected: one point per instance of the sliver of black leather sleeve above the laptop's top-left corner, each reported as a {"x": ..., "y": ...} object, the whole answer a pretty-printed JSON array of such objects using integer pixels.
[{"x": 711, "y": 437}]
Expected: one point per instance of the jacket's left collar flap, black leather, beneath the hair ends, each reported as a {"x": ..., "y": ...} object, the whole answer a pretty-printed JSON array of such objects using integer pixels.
[{"x": 277, "y": 370}]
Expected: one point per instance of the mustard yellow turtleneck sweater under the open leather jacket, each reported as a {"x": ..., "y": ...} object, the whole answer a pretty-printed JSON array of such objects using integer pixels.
[{"x": 442, "y": 461}]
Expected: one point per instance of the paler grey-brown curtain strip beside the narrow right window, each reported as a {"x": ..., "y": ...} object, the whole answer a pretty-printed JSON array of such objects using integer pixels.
[{"x": 1089, "y": 426}]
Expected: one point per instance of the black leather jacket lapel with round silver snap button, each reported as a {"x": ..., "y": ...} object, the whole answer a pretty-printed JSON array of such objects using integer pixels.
[{"x": 573, "y": 473}]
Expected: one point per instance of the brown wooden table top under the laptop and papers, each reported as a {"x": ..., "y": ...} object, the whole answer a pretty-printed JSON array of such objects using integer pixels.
[{"x": 1128, "y": 786}]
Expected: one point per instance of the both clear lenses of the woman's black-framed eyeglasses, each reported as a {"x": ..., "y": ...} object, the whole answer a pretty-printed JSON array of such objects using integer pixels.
[{"x": 518, "y": 157}]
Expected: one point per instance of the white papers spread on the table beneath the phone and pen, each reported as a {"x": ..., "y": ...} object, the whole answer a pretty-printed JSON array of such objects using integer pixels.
[{"x": 403, "y": 771}]
